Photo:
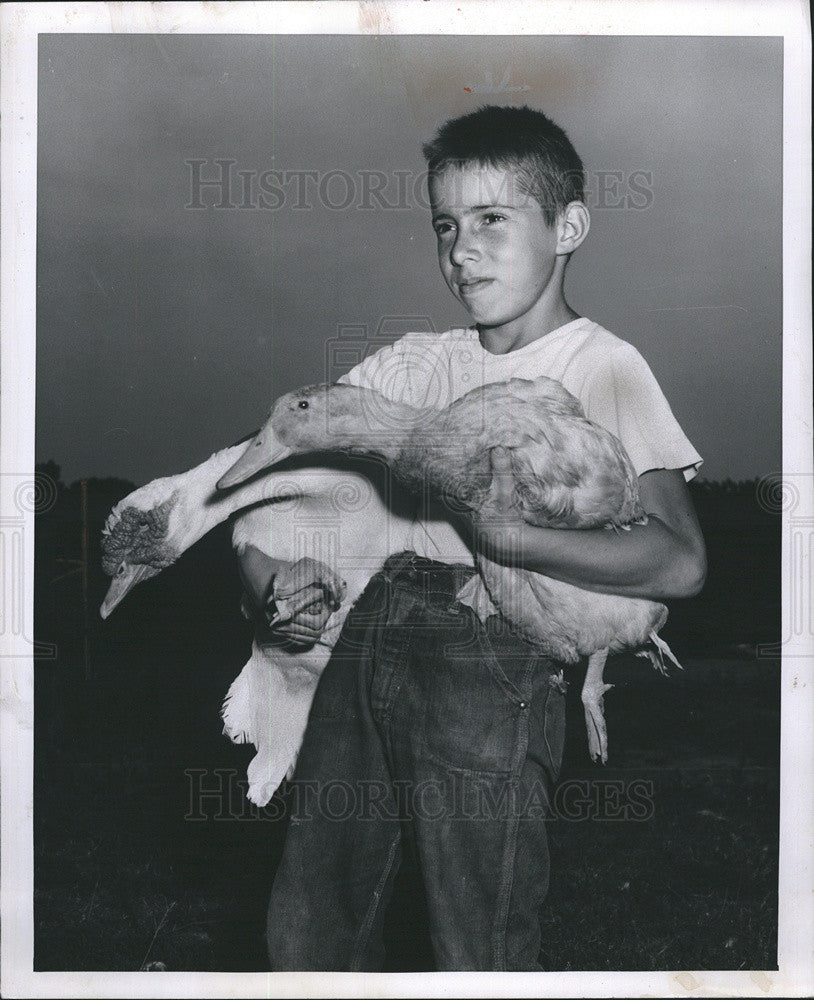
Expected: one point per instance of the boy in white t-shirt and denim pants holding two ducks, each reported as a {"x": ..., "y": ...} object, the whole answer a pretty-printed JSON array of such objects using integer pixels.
[{"x": 446, "y": 733}]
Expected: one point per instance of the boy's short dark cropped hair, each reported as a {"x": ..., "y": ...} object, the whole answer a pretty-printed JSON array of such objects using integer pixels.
[{"x": 522, "y": 139}]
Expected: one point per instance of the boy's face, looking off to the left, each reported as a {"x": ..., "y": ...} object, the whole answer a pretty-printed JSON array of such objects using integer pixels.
[{"x": 496, "y": 251}]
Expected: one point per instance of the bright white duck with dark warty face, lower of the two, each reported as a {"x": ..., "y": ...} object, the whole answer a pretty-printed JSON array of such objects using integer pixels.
[{"x": 332, "y": 513}]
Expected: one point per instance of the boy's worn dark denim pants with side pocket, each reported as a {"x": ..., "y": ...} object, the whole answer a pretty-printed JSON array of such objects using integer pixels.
[{"x": 434, "y": 733}]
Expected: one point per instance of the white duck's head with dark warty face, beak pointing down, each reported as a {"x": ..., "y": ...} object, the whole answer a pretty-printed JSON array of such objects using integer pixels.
[{"x": 138, "y": 539}]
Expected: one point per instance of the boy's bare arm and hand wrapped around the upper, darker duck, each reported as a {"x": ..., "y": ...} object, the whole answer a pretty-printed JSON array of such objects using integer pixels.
[{"x": 661, "y": 560}]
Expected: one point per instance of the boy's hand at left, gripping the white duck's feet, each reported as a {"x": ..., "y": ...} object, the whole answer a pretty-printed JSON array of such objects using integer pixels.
[{"x": 305, "y": 595}]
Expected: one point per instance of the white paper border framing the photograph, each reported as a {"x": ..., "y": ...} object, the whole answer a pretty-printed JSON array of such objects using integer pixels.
[{"x": 21, "y": 24}]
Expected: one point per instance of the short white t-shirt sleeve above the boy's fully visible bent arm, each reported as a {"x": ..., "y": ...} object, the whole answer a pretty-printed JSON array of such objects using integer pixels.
[{"x": 625, "y": 398}]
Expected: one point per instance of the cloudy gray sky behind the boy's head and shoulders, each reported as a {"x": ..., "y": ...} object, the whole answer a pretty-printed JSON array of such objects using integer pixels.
[{"x": 164, "y": 332}]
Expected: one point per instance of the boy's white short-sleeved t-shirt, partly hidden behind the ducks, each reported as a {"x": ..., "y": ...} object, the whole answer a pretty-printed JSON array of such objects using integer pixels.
[{"x": 608, "y": 376}]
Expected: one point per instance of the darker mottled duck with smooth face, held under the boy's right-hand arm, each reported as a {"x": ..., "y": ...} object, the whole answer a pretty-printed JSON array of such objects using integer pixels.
[{"x": 570, "y": 472}]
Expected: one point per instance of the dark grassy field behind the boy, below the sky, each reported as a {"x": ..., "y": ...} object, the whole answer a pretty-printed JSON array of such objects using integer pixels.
[{"x": 124, "y": 878}]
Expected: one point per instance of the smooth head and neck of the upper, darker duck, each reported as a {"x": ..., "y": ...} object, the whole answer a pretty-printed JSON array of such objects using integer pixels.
[{"x": 335, "y": 417}]
